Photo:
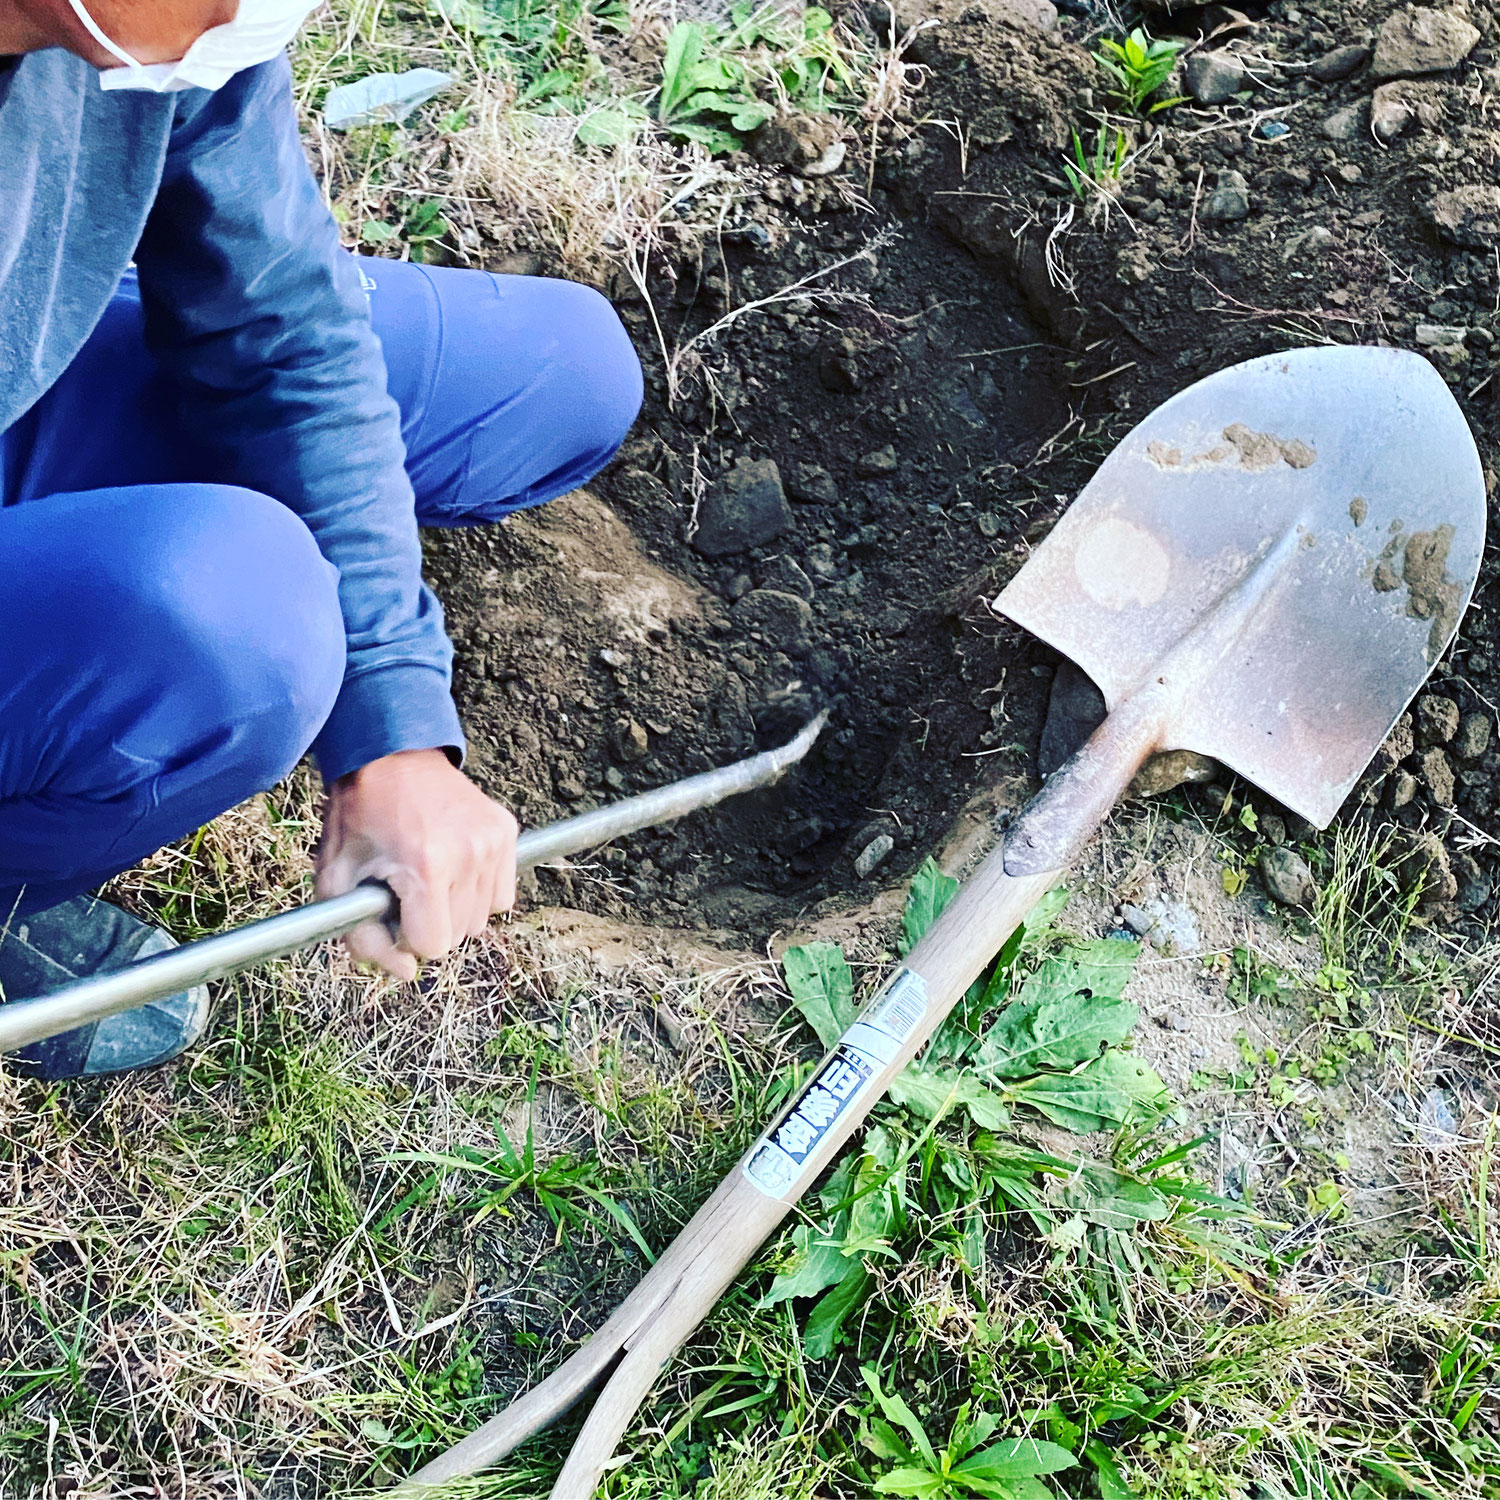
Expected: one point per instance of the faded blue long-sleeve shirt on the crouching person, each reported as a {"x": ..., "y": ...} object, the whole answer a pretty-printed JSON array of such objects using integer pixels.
[{"x": 257, "y": 313}]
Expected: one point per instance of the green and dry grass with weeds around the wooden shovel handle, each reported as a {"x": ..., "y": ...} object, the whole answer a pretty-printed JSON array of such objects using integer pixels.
[{"x": 361, "y": 1219}]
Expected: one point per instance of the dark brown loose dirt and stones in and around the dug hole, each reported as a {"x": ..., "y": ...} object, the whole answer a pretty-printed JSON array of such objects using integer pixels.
[{"x": 965, "y": 383}]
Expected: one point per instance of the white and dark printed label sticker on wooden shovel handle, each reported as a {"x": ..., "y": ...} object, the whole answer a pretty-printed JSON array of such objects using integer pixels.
[{"x": 778, "y": 1165}]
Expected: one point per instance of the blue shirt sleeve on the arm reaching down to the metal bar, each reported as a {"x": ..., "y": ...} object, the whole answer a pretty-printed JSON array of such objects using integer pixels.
[{"x": 259, "y": 316}]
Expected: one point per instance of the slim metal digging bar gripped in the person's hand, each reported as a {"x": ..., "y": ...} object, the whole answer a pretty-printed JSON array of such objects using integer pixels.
[{"x": 92, "y": 1000}]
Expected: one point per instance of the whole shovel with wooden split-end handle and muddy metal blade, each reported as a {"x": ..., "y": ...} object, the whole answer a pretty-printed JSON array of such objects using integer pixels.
[{"x": 1265, "y": 572}]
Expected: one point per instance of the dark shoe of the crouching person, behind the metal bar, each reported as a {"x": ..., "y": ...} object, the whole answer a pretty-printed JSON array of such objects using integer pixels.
[{"x": 80, "y": 938}]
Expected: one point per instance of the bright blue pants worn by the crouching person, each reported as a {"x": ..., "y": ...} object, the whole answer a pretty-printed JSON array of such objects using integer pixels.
[{"x": 170, "y": 647}]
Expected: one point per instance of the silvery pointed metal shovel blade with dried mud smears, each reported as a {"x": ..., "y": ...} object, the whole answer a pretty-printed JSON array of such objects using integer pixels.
[{"x": 1327, "y": 502}]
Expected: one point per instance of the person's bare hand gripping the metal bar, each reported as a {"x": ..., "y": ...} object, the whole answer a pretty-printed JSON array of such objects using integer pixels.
[{"x": 419, "y": 824}]
